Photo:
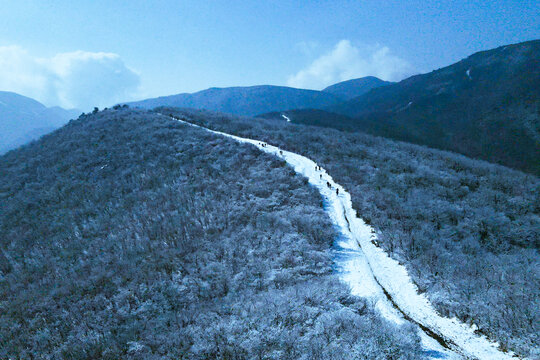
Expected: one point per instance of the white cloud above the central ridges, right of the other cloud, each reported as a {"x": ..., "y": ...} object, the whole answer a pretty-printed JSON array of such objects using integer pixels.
[{"x": 347, "y": 61}]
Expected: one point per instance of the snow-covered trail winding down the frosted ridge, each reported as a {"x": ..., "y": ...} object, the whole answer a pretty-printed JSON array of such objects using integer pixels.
[{"x": 372, "y": 274}]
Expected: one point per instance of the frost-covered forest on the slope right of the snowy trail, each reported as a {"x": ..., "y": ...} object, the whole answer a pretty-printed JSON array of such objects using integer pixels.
[{"x": 467, "y": 231}]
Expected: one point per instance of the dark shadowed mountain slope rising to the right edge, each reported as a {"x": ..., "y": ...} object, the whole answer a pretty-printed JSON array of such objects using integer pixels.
[{"x": 486, "y": 106}]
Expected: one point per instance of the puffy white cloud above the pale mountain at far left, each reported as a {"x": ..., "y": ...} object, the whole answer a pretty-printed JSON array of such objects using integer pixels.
[{"x": 76, "y": 79}]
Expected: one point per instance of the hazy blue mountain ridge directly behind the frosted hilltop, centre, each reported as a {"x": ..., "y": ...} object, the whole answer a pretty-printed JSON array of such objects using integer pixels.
[{"x": 247, "y": 101}]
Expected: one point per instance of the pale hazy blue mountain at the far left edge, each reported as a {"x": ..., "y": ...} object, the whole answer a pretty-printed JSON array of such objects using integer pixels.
[{"x": 23, "y": 119}]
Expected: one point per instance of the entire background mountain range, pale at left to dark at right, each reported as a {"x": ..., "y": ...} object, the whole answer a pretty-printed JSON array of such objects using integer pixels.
[{"x": 486, "y": 106}]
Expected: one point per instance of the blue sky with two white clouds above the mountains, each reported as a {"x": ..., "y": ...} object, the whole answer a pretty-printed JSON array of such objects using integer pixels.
[{"x": 66, "y": 52}]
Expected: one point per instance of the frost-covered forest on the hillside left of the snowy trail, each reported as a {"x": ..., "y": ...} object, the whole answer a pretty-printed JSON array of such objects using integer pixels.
[{"x": 127, "y": 235}]
